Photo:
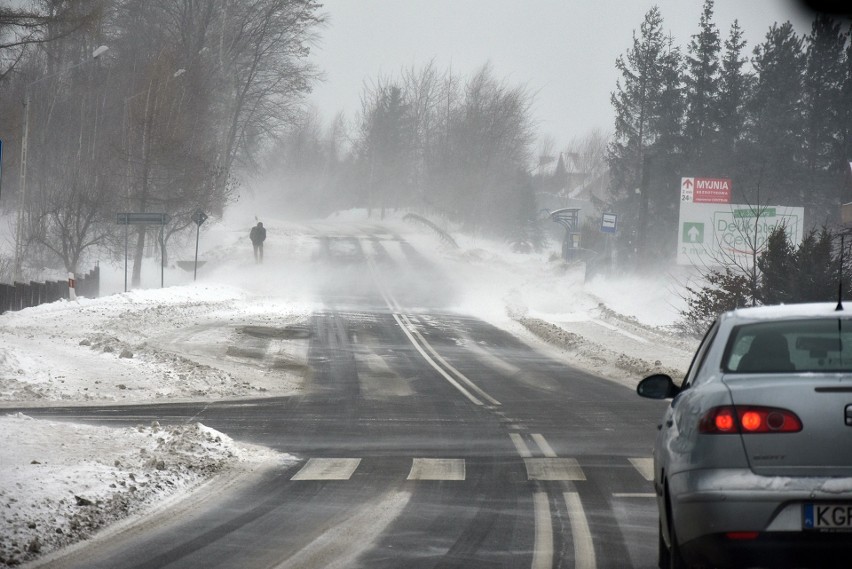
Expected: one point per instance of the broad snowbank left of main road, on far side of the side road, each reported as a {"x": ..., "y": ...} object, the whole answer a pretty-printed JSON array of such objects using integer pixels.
[{"x": 141, "y": 346}]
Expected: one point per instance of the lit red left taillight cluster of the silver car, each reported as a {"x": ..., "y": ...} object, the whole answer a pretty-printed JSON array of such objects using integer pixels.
[{"x": 730, "y": 419}]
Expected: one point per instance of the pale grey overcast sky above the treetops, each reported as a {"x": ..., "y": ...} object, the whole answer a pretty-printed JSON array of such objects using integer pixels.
[{"x": 563, "y": 51}]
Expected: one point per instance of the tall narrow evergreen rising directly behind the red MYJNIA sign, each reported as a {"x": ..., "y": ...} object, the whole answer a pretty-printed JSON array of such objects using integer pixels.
[{"x": 702, "y": 92}]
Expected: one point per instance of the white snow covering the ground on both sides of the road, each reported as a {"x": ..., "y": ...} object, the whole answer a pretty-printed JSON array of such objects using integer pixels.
[{"x": 60, "y": 482}]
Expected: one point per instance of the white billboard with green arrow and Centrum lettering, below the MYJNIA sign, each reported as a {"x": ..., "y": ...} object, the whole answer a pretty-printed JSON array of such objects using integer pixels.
[{"x": 712, "y": 234}]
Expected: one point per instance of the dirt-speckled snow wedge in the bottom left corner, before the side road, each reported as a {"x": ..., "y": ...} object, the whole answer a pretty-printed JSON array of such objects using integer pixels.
[{"x": 61, "y": 482}]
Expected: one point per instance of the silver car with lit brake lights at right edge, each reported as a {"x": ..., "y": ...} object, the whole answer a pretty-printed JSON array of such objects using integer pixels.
[{"x": 753, "y": 461}]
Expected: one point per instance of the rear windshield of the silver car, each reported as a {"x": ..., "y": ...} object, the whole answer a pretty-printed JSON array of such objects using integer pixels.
[{"x": 815, "y": 345}]
